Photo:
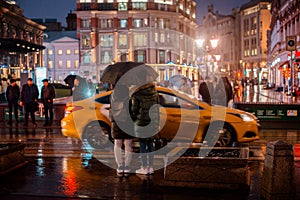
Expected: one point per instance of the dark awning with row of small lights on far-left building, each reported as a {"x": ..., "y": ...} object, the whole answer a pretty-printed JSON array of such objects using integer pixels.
[{"x": 17, "y": 45}]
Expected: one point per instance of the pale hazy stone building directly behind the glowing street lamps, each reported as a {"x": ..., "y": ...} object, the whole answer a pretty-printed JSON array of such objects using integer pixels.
[{"x": 226, "y": 29}]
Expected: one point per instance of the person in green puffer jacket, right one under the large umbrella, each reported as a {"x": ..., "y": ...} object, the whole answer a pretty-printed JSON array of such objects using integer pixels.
[{"x": 145, "y": 113}]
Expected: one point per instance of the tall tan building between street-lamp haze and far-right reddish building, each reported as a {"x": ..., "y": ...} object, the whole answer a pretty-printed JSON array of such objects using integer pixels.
[{"x": 255, "y": 23}]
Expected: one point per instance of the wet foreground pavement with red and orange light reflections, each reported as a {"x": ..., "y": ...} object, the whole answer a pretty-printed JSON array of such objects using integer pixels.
[{"x": 66, "y": 177}]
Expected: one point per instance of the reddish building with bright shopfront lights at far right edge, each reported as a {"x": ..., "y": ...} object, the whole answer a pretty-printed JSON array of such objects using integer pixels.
[{"x": 285, "y": 22}]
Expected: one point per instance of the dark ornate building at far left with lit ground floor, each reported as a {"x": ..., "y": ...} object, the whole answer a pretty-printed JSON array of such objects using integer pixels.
[{"x": 21, "y": 42}]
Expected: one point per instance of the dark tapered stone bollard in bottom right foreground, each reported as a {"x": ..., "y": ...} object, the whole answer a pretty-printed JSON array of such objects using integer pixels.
[{"x": 278, "y": 181}]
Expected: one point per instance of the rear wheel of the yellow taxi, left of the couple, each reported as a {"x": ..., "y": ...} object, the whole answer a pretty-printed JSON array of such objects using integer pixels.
[{"x": 97, "y": 135}]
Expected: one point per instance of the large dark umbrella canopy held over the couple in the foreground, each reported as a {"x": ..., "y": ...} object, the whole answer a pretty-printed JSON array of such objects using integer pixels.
[{"x": 128, "y": 73}]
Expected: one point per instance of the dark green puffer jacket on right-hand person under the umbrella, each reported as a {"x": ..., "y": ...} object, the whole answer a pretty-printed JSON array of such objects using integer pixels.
[{"x": 142, "y": 100}]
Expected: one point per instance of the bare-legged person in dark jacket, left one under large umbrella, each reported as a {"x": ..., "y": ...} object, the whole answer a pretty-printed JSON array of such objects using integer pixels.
[{"x": 122, "y": 126}]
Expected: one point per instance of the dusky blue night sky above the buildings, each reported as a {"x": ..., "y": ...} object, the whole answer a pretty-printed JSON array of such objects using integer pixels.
[{"x": 60, "y": 8}]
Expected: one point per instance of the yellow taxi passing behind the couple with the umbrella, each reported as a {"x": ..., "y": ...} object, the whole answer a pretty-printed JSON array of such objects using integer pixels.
[{"x": 182, "y": 117}]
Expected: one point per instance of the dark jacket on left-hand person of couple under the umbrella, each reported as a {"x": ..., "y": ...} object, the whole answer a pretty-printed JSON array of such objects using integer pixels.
[{"x": 119, "y": 114}]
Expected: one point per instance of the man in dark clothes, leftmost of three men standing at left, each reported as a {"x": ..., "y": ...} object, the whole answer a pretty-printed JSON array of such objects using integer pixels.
[{"x": 12, "y": 96}]
